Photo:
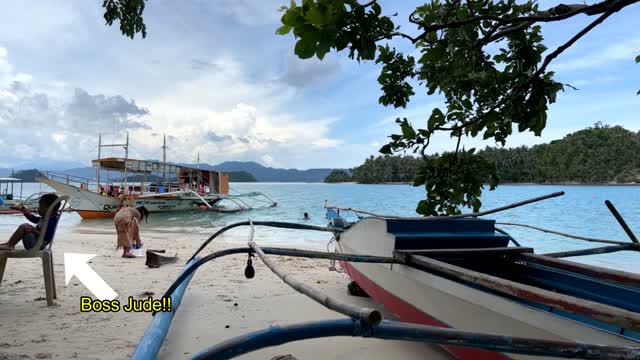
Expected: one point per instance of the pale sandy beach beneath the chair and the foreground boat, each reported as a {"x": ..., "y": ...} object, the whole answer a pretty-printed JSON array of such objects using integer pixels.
[{"x": 219, "y": 304}]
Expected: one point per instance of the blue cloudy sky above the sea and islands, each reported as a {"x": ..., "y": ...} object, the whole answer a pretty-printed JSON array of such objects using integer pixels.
[{"x": 213, "y": 76}]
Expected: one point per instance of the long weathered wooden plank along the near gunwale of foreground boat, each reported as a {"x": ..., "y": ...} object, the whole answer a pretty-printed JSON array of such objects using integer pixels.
[{"x": 594, "y": 310}]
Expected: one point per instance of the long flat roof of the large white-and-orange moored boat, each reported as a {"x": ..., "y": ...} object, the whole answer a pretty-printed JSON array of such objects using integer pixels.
[{"x": 142, "y": 166}]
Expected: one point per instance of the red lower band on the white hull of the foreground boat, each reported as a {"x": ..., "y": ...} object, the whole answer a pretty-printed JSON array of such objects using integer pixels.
[{"x": 409, "y": 313}]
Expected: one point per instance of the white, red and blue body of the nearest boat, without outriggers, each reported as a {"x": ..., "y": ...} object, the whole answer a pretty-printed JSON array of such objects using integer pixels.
[{"x": 459, "y": 273}]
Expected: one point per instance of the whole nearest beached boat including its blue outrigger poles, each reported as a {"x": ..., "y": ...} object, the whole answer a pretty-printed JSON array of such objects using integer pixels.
[{"x": 451, "y": 281}]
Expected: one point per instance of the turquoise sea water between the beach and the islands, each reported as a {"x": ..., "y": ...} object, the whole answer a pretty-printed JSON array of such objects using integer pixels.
[{"x": 580, "y": 211}]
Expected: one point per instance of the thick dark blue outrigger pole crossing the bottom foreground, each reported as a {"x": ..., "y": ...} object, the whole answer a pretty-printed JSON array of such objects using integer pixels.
[{"x": 392, "y": 330}]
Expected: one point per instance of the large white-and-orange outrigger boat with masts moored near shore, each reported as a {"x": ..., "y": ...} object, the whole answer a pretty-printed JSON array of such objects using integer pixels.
[{"x": 173, "y": 187}]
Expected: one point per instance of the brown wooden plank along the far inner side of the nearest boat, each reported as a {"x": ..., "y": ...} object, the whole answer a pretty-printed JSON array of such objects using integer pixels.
[{"x": 588, "y": 270}]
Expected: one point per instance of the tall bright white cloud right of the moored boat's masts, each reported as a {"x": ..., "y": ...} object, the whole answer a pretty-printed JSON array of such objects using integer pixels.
[{"x": 250, "y": 116}]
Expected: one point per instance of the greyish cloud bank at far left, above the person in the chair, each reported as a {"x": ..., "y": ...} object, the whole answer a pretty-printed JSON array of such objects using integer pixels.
[{"x": 44, "y": 125}]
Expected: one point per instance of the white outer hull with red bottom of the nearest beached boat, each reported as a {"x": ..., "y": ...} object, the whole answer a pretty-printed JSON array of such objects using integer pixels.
[{"x": 420, "y": 297}]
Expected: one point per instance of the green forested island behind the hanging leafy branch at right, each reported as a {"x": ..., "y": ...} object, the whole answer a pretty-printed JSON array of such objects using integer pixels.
[{"x": 596, "y": 155}]
